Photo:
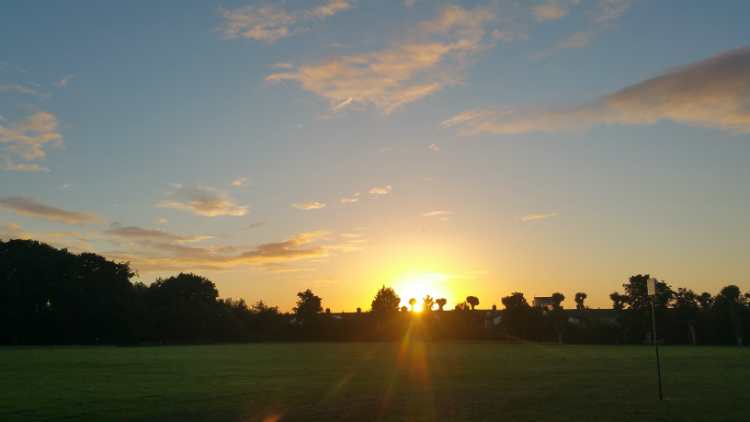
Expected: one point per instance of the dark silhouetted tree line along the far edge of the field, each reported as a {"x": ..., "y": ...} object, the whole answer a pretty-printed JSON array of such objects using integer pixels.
[{"x": 52, "y": 296}]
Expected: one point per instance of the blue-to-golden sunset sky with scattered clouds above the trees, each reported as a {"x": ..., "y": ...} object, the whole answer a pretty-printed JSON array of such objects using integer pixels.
[{"x": 440, "y": 148}]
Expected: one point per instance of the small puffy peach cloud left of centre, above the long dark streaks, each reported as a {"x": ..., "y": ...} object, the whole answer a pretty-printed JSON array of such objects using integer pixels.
[{"x": 206, "y": 201}]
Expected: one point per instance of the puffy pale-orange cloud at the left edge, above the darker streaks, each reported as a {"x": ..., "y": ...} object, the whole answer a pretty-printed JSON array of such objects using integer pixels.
[{"x": 28, "y": 139}]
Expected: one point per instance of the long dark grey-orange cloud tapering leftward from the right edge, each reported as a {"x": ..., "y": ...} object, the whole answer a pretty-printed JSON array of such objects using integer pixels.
[{"x": 710, "y": 93}]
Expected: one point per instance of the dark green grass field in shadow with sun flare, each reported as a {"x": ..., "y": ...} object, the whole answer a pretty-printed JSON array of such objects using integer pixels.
[{"x": 413, "y": 381}]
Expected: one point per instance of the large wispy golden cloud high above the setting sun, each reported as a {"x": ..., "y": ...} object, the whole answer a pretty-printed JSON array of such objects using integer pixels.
[{"x": 407, "y": 71}]
